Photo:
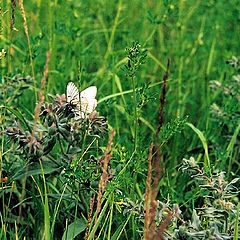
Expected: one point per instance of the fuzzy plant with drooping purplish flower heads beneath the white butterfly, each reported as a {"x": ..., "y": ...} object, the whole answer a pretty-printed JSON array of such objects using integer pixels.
[{"x": 59, "y": 135}]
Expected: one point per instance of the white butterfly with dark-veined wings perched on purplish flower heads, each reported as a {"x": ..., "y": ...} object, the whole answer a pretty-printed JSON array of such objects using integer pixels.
[{"x": 84, "y": 102}]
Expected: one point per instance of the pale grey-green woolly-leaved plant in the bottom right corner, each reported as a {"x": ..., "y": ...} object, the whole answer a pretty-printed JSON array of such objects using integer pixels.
[{"x": 218, "y": 217}]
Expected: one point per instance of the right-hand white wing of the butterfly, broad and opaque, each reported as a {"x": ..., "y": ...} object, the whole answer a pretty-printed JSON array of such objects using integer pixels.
[{"x": 87, "y": 100}]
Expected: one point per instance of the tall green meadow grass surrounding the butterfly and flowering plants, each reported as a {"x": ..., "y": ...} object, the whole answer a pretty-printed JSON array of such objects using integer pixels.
[{"x": 88, "y": 42}]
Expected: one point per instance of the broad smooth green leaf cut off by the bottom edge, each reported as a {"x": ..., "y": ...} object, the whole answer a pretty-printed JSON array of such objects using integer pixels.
[{"x": 74, "y": 229}]
